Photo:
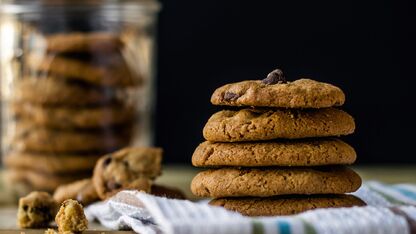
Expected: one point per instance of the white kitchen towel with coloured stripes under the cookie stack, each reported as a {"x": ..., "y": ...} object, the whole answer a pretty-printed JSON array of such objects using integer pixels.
[{"x": 391, "y": 209}]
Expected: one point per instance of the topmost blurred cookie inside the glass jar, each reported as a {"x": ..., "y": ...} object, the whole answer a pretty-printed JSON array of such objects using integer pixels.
[{"x": 97, "y": 42}]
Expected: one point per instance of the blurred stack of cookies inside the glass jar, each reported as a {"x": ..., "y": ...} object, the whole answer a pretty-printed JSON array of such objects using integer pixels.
[{"x": 68, "y": 108}]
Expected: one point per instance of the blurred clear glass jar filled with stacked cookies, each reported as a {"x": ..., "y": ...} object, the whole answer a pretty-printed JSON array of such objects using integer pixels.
[{"x": 76, "y": 83}]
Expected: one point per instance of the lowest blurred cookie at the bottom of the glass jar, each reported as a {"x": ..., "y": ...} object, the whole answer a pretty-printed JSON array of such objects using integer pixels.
[{"x": 40, "y": 181}]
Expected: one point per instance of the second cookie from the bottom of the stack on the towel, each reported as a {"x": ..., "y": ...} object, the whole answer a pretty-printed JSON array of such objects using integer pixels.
[{"x": 265, "y": 182}]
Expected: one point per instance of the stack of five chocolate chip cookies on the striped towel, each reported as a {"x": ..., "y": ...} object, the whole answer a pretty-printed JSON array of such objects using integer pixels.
[{"x": 278, "y": 152}]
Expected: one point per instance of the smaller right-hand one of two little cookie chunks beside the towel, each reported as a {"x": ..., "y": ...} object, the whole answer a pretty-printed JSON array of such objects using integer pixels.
[{"x": 71, "y": 217}]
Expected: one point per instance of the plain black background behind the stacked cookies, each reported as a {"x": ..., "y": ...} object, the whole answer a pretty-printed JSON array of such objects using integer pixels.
[{"x": 364, "y": 47}]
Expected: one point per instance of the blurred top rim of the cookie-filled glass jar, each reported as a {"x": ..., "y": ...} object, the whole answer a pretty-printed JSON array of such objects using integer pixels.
[{"x": 33, "y": 6}]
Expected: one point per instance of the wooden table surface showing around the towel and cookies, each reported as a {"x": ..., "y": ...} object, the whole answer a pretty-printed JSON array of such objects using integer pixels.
[{"x": 181, "y": 176}]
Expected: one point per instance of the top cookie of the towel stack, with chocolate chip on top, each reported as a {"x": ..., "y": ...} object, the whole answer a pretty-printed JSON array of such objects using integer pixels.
[{"x": 303, "y": 93}]
